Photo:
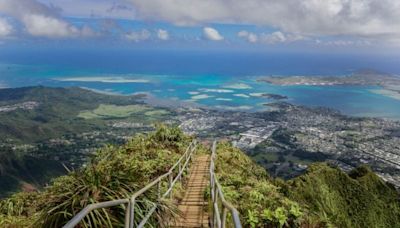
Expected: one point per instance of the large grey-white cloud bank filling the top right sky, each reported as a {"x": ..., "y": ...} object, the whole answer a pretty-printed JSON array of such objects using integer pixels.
[{"x": 306, "y": 17}]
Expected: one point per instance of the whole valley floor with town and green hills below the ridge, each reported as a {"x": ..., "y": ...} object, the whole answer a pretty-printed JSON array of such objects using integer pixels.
[{"x": 284, "y": 140}]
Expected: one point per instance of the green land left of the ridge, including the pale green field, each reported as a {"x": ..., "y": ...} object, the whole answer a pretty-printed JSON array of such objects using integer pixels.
[{"x": 27, "y": 155}]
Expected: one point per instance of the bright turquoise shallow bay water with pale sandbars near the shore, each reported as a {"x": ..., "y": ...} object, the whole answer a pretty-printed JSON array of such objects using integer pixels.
[{"x": 237, "y": 92}]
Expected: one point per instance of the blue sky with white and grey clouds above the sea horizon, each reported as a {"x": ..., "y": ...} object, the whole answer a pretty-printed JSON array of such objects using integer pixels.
[{"x": 354, "y": 26}]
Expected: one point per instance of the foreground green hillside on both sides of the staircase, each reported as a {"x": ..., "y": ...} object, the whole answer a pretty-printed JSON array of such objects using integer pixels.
[{"x": 323, "y": 197}]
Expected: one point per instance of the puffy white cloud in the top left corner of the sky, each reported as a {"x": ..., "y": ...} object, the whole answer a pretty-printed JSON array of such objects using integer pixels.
[{"x": 41, "y": 20}]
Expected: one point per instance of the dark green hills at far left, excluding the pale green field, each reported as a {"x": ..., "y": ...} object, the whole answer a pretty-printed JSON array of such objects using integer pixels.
[{"x": 56, "y": 115}]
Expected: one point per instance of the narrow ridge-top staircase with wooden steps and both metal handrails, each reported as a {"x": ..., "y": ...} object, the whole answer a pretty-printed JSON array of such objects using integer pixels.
[{"x": 220, "y": 207}]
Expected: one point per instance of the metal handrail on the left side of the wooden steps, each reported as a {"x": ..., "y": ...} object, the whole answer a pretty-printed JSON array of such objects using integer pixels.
[{"x": 182, "y": 164}]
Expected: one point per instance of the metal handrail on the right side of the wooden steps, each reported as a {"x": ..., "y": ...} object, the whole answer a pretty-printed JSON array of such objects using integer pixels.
[{"x": 217, "y": 197}]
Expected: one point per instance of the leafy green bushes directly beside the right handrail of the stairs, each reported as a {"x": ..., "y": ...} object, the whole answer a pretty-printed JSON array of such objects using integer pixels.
[{"x": 256, "y": 196}]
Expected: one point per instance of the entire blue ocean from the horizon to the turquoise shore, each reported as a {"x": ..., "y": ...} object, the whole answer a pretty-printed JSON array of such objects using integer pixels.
[{"x": 222, "y": 80}]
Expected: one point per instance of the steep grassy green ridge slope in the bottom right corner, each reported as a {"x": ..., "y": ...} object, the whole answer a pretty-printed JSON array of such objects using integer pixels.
[{"x": 360, "y": 199}]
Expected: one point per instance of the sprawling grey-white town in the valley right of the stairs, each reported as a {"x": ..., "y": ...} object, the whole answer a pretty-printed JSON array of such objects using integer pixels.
[{"x": 307, "y": 134}]
